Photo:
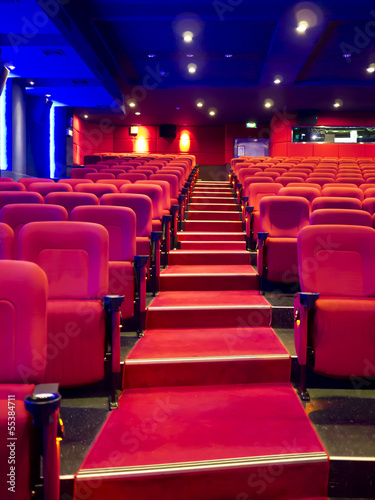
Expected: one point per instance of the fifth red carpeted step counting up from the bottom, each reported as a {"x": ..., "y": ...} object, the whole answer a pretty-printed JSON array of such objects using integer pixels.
[{"x": 209, "y": 258}]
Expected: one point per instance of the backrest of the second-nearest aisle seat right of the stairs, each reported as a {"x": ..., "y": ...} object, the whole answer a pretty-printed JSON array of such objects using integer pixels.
[{"x": 283, "y": 216}]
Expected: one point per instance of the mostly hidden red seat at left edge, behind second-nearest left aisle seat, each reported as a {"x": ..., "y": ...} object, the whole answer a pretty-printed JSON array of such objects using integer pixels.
[{"x": 16, "y": 216}]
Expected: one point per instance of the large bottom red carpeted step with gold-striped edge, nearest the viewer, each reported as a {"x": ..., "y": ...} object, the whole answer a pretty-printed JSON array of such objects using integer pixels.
[{"x": 206, "y": 442}]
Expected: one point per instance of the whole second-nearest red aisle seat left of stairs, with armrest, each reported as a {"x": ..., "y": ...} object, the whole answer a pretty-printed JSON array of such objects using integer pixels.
[{"x": 74, "y": 256}]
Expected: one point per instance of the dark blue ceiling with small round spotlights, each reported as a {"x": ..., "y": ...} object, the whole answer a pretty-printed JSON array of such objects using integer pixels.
[{"x": 106, "y": 43}]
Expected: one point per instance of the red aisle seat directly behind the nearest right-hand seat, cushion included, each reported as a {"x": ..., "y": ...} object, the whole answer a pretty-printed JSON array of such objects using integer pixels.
[{"x": 281, "y": 218}]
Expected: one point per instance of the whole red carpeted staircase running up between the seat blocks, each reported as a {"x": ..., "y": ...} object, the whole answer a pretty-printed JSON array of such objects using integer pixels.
[{"x": 207, "y": 412}]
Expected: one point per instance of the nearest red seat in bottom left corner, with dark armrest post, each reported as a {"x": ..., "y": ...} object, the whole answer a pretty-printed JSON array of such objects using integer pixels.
[{"x": 23, "y": 332}]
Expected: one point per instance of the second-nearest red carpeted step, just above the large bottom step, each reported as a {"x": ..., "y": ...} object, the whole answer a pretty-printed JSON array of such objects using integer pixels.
[{"x": 206, "y": 357}]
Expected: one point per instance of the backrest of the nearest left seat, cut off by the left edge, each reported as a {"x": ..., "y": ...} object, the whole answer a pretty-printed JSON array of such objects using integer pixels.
[{"x": 23, "y": 322}]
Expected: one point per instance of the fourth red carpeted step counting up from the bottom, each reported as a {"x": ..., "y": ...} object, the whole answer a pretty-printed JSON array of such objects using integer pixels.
[{"x": 179, "y": 278}]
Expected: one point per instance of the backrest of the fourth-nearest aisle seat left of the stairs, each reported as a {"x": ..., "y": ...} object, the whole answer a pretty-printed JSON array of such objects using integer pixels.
[{"x": 139, "y": 203}]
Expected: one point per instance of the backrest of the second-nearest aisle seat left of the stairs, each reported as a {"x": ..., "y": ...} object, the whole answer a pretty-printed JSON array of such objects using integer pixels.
[{"x": 74, "y": 256}]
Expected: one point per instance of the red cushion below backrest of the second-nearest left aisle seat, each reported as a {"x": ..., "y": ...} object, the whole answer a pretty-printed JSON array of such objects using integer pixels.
[{"x": 75, "y": 344}]
